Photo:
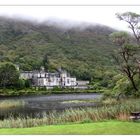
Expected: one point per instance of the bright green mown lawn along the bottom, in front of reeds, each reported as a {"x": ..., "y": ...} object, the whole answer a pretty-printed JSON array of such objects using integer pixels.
[{"x": 109, "y": 127}]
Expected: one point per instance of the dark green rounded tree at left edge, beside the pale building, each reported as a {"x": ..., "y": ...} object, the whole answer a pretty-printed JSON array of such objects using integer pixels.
[{"x": 9, "y": 75}]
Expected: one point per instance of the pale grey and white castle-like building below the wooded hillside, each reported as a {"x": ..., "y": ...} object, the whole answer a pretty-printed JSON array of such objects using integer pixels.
[{"x": 44, "y": 79}]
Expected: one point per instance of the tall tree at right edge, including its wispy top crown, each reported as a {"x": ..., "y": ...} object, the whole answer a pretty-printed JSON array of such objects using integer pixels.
[{"x": 128, "y": 52}]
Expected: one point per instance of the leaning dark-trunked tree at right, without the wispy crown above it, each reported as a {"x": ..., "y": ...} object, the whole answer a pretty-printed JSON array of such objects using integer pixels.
[{"x": 126, "y": 56}]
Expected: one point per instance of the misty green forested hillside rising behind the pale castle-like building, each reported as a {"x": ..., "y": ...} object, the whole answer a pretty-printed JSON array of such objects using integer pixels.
[{"x": 80, "y": 51}]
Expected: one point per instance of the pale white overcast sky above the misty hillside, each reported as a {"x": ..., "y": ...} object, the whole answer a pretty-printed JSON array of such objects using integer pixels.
[{"x": 93, "y": 14}]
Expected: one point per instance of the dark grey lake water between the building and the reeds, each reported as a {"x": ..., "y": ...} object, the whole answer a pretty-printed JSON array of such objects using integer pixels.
[{"x": 35, "y": 106}]
